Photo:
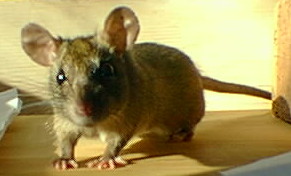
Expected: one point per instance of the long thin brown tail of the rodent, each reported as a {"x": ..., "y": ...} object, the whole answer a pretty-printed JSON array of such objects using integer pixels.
[{"x": 218, "y": 86}]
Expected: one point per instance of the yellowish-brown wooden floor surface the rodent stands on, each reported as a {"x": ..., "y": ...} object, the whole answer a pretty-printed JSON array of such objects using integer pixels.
[{"x": 223, "y": 140}]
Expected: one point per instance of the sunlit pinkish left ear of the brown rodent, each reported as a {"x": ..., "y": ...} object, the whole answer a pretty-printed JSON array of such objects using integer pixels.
[{"x": 39, "y": 44}]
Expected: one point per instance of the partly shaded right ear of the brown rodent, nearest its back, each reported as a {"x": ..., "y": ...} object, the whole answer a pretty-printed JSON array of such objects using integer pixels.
[{"x": 121, "y": 29}]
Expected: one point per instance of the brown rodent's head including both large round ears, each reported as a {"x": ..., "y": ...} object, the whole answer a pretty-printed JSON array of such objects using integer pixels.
[{"x": 88, "y": 74}]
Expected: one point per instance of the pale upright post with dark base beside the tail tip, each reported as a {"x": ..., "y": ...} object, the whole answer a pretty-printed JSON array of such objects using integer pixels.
[{"x": 282, "y": 46}]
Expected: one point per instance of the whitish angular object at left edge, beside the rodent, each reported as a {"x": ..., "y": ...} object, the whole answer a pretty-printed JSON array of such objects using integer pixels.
[{"x": 10, "y": 106}]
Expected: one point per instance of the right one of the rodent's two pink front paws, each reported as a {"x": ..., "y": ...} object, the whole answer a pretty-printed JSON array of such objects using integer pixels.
[{"x": 111, "y": 163}]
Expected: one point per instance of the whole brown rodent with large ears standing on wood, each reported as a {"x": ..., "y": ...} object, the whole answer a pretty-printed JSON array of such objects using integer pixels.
[{"x": 105, "y": 85}]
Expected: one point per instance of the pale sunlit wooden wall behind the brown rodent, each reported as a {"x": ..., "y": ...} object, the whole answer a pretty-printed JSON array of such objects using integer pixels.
[{"x": 230, "y": 40}]
